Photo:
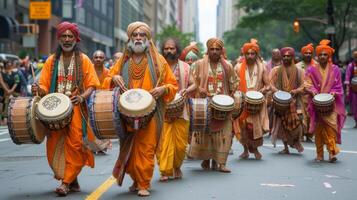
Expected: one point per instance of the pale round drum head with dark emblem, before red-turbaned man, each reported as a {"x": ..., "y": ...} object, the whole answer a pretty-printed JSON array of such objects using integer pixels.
[{"x": 54, "y": 106}]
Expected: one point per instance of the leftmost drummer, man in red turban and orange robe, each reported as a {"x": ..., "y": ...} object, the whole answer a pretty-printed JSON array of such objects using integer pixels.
[{"x": 70, "y": 72}]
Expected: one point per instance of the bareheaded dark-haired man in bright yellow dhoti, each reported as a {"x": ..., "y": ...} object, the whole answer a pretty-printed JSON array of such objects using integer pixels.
[{"x": 174, "y": 138}]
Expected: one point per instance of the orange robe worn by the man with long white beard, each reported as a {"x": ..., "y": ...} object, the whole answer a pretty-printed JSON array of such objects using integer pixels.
[{"x": 140, "y": 165}]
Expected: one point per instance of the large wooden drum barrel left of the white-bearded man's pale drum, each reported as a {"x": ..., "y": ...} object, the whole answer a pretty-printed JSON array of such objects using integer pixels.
[{"x": 104, "y": 117}]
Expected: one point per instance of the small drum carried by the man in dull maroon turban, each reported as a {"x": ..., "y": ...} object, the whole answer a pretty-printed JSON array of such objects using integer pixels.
[{"x": 281, "y": 102}]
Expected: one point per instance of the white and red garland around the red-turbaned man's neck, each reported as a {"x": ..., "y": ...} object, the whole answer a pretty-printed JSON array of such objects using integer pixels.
[{"x": 64, "y": 82}]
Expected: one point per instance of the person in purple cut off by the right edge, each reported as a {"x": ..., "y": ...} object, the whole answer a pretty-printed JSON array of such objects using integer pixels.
[{"x": 351, "y": 93}]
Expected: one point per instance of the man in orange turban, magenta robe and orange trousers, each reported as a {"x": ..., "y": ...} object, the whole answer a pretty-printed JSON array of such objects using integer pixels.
[{"x": 325, "y": 77}]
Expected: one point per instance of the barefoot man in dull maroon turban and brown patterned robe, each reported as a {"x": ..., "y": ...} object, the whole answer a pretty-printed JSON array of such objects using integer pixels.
[{"x": 288, "y": 78}]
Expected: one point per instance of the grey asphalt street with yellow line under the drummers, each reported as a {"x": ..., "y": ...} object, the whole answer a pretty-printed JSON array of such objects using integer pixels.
[{"x": 24, "y": 174}]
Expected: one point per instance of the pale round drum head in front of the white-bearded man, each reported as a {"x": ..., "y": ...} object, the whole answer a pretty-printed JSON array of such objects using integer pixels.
[{"x": 136, "y": 102}]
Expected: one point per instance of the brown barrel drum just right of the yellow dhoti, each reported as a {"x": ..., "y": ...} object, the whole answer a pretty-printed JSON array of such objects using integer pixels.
[{"x": 200, "y": 114}]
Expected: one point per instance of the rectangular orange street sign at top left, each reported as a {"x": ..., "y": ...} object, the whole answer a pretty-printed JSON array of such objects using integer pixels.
[{"x": 40, "y": 10}]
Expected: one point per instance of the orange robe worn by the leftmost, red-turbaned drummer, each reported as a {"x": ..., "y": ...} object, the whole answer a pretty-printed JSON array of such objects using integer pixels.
[{"x": 66, "y": 152}]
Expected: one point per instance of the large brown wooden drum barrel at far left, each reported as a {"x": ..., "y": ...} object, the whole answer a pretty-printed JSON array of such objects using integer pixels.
[{"x": 24, "y": 127}]
